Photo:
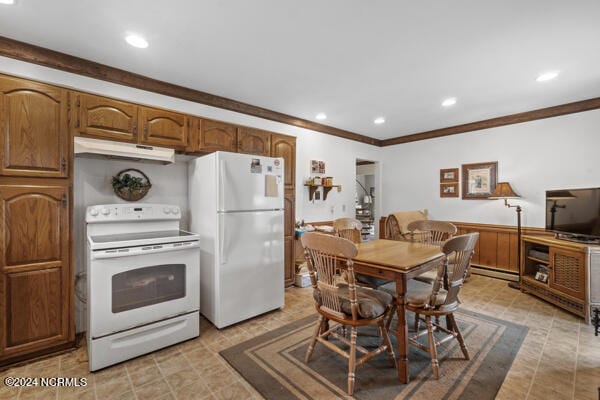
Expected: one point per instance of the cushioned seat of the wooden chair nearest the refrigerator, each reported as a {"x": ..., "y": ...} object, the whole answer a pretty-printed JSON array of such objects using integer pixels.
[{"x": 371, "y": 303}]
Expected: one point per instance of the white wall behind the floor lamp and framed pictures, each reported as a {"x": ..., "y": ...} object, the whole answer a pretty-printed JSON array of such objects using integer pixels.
[{"x": 552, "y": 153}]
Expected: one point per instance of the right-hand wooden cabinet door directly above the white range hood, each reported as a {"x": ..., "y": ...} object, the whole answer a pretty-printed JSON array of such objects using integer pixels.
[{"x": 164, "y": 128}]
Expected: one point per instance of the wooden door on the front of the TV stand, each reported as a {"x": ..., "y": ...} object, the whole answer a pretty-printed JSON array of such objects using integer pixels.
[{"x": 567, "y": 272}]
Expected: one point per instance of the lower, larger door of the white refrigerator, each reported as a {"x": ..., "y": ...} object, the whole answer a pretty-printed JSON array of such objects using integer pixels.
[{"x": 250, "y": 271}]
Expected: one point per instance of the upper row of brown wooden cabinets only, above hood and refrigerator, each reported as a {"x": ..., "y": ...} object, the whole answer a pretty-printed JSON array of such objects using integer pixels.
[{"x": 37, "y": 117}]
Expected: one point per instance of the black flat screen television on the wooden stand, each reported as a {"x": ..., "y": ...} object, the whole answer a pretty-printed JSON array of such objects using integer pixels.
[{"x": 574, "y": 213}]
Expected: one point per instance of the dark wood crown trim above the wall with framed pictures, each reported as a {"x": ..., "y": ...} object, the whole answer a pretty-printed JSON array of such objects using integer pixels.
[{"x": 555, "y": 111}]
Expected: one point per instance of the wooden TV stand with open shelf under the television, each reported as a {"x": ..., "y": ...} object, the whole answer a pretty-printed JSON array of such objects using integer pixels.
[{"x": 572, "y": 273}]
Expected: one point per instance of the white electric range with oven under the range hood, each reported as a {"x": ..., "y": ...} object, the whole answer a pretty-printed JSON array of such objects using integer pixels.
[{"x": 143, "y": 281}]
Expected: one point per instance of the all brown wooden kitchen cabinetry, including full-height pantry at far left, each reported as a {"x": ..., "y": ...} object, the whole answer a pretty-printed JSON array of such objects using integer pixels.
[{"x": 37, "y": 123}]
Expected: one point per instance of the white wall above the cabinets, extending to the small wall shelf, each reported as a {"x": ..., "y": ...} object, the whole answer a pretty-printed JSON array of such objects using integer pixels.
[{"x": 339, "y": 154}]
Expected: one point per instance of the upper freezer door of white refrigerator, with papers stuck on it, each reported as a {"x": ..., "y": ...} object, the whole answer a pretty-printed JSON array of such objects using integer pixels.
[{"x": 248, "y": 182}]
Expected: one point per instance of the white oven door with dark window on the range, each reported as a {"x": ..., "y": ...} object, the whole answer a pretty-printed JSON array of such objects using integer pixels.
[{"x": 140, "y": 288}]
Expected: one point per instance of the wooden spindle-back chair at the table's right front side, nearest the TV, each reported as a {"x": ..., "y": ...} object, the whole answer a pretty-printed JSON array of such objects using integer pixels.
[{"x": 435, "y": 301}]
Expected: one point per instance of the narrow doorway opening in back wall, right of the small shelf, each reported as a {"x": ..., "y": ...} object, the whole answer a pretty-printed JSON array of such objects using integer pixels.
[{"x": 364, "y": 197}]
